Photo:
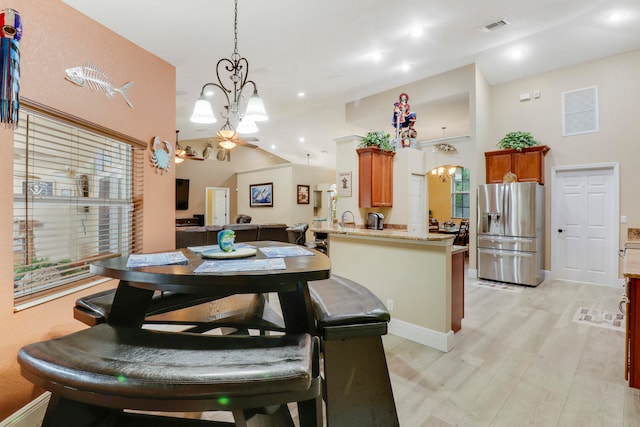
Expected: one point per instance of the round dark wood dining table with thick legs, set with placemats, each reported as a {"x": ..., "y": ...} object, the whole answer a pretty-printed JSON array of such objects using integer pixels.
[{"x": 198, "y": 274}]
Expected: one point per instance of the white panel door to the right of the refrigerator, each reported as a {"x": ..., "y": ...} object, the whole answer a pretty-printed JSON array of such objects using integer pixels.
[{"x": 584, "y": 223}]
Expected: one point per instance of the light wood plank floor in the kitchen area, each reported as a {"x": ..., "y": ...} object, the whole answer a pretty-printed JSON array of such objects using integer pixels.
[{"x": 519, "y": 360}]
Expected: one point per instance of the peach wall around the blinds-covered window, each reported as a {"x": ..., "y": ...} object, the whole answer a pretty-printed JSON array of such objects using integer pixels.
[{"x": 57, "y": 37}]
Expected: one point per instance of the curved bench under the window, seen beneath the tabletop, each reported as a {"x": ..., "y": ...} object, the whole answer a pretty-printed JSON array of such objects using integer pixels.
[{"x": 197, "y": 313}]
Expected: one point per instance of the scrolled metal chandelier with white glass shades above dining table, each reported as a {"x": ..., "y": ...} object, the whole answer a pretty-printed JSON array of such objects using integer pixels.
[{"x": 239, "y": 110}]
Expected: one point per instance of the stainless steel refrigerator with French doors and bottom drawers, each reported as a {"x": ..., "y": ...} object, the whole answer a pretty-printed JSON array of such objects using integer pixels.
[{"x": 511, "y": 232}]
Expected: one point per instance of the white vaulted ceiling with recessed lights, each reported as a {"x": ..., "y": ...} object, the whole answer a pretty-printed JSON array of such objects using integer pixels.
[{"x": 324, "y": 47}]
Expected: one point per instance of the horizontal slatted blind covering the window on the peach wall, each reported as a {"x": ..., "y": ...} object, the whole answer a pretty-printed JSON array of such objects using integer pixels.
[{"x": 73, "y": 202}]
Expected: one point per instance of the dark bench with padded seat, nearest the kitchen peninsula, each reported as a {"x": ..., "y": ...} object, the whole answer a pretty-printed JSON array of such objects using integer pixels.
[{"x": 351, "y": 321}]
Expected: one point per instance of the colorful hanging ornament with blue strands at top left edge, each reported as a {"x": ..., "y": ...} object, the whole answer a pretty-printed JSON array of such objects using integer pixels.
[{"x": 10, "y": 34}]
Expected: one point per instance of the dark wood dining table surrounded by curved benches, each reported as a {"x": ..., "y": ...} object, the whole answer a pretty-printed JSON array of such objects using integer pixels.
[{"x": 137, "y": 285}]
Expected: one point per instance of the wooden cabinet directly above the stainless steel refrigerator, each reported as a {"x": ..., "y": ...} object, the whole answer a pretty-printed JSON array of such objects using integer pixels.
[{"x": 528, "y": 164}]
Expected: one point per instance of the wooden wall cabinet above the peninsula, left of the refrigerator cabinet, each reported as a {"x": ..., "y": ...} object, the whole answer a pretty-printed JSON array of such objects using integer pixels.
[{"x": 375, "y": 177}]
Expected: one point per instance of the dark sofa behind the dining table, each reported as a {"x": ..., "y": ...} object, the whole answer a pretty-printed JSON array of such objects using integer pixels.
[{"x": 201, "y": 236}]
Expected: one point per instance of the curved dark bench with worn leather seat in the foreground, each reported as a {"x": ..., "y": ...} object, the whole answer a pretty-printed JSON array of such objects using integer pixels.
[{"x": 96, "y": 373}]
